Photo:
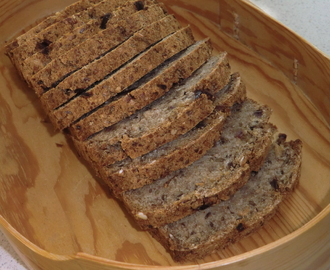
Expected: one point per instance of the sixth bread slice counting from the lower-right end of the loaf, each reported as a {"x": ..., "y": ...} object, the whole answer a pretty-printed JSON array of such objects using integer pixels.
[{"x": 122, "y": 78}]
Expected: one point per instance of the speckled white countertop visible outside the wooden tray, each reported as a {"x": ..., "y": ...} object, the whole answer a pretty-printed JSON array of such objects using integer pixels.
[{"x": 308, "y": 18}]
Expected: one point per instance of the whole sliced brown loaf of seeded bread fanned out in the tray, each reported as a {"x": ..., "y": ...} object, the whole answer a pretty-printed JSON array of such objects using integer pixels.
[{"x": 161, "y": 119}]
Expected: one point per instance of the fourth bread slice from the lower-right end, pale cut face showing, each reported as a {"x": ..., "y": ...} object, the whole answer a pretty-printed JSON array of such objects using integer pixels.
[{"x": 164, "y": 120}]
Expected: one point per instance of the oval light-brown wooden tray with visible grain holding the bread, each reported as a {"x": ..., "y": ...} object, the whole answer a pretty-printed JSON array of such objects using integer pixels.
[{"x": 57, "y": 215}]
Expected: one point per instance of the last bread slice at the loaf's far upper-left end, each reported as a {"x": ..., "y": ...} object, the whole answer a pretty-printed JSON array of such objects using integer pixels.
[{"x": 58, "y": 16}]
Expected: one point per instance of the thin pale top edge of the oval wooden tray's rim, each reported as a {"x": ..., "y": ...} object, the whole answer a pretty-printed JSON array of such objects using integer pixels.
[{"x": 322, "y": 215}]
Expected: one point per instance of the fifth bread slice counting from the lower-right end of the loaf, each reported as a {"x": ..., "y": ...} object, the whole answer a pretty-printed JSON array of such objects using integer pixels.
[{"x": 149, "y": 88}]
